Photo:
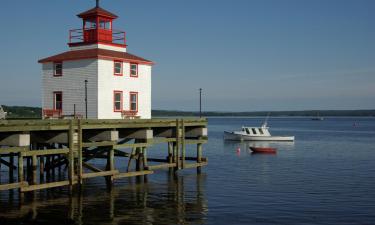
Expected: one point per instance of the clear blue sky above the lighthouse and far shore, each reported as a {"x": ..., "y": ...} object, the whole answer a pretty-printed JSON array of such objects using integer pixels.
[{"x": 246, "y": 55}]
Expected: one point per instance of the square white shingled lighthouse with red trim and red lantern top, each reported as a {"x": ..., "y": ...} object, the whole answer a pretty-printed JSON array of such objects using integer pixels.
[{"x": 97, "y": 77}]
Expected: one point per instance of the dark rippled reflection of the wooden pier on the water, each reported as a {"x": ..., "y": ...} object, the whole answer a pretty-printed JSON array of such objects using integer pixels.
[{"x": 179, "y": 200}]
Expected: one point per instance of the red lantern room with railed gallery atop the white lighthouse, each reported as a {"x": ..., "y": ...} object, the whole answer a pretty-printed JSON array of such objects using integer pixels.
[{"x": 97, "y": 28}]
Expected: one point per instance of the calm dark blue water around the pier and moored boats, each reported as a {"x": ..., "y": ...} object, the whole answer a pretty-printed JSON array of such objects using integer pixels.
[{"x": 326, "y": 177}]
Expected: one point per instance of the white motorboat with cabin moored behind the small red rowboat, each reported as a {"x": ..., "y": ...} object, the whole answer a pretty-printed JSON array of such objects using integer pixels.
[{"x": 255, "y": 134}]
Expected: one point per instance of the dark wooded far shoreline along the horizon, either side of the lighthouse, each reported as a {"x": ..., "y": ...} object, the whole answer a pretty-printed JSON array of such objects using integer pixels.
[{"x": 36, "y": 112}]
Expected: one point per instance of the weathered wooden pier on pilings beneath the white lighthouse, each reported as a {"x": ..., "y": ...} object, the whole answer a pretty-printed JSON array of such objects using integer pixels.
[{"x": 39, "y": 149}]
